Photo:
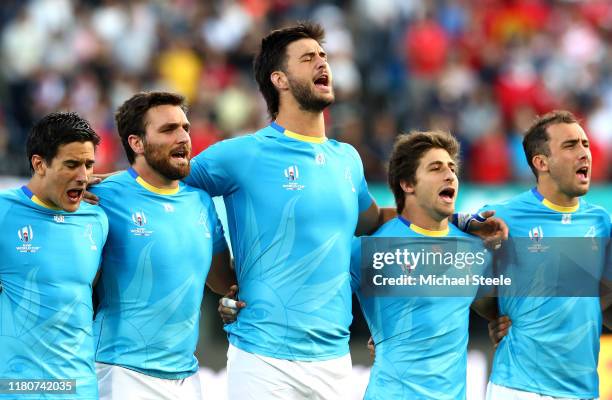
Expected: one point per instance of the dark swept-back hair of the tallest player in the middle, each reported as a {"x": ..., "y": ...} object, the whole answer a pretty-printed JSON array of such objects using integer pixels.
[{"x": 272, "y": 57}]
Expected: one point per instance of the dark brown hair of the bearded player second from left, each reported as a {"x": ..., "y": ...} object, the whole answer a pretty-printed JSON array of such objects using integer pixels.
[{"x": 130, "y": 117}]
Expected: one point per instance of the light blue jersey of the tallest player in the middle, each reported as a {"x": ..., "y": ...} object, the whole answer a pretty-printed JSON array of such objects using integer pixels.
[{"x": 292, "y": 204}]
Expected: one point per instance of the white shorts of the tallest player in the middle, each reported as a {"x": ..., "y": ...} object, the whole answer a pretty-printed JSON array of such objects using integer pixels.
[{"x": 251, "y": 376}]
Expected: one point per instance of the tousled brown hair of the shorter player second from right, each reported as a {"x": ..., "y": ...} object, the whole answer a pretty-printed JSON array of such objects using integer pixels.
[{"x": 406, "y": 156}]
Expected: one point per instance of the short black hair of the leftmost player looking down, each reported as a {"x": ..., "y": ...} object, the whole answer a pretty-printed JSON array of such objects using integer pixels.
[{"x": 55, "y": 130}]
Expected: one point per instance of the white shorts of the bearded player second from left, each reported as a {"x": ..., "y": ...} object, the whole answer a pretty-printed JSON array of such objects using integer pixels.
[{"x": 118, "y": 383}]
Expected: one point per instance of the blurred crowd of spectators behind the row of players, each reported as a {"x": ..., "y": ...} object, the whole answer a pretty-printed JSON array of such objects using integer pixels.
[{"x": 481, "y": 69}]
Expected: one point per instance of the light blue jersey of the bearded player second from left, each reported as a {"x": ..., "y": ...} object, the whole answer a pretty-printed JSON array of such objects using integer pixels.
[{"x": 154, "y": 268}]
